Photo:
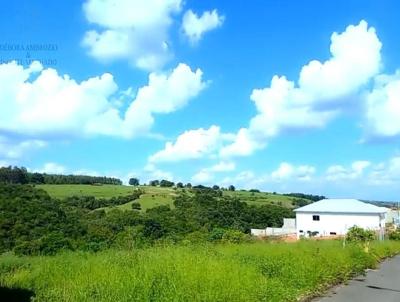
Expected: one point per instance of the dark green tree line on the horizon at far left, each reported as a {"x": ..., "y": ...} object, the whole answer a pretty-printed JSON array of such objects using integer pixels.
[{"x": 17, "y": 175}]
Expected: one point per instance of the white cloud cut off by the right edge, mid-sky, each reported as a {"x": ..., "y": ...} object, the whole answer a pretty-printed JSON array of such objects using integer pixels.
[{"x": 383, "y": 108}]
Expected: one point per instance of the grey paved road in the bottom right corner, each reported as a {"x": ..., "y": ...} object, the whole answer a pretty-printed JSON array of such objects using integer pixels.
[{"x": 381, "y": 285}]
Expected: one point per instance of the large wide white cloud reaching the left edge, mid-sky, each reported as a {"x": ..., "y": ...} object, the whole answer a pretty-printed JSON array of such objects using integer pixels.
[{"x": 40, "y": 103}]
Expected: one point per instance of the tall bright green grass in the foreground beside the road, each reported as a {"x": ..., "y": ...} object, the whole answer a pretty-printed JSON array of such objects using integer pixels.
[{"x": 244, "y": 272}]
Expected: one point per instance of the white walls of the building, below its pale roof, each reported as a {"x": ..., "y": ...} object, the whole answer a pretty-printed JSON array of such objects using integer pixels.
[{"x": 337, "y": 223}]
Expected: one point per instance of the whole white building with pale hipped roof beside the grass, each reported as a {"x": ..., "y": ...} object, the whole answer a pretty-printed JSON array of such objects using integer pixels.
[{"x": 331, "y": 217}]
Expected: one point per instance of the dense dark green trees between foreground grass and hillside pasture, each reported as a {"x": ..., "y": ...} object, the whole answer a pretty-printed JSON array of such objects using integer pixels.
[{"x": 31, "y": 222}]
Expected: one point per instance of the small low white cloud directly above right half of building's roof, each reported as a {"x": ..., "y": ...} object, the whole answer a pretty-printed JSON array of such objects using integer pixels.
[{"x": 339, "y": 172}]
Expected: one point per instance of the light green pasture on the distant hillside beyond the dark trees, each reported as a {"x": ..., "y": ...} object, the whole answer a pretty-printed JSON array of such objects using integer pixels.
[{"x": 155, "y": 196}]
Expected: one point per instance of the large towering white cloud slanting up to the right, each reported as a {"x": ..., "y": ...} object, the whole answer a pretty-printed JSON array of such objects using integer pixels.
[{"x": 321, "y": 92}]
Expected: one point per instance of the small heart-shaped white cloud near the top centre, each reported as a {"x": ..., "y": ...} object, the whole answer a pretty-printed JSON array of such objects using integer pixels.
[{"x": 194, "y": 27}]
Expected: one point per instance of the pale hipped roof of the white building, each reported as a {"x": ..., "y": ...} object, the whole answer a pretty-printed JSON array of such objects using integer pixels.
[{"x": 341, "y": 206}]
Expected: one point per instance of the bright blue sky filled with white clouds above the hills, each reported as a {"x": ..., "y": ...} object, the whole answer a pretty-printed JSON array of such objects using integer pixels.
[{"x": 285, "y": 96}]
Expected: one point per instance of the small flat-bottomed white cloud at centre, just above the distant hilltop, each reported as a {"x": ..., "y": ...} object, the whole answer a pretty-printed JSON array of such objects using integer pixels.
[{"x": 191, "y": 144}]
